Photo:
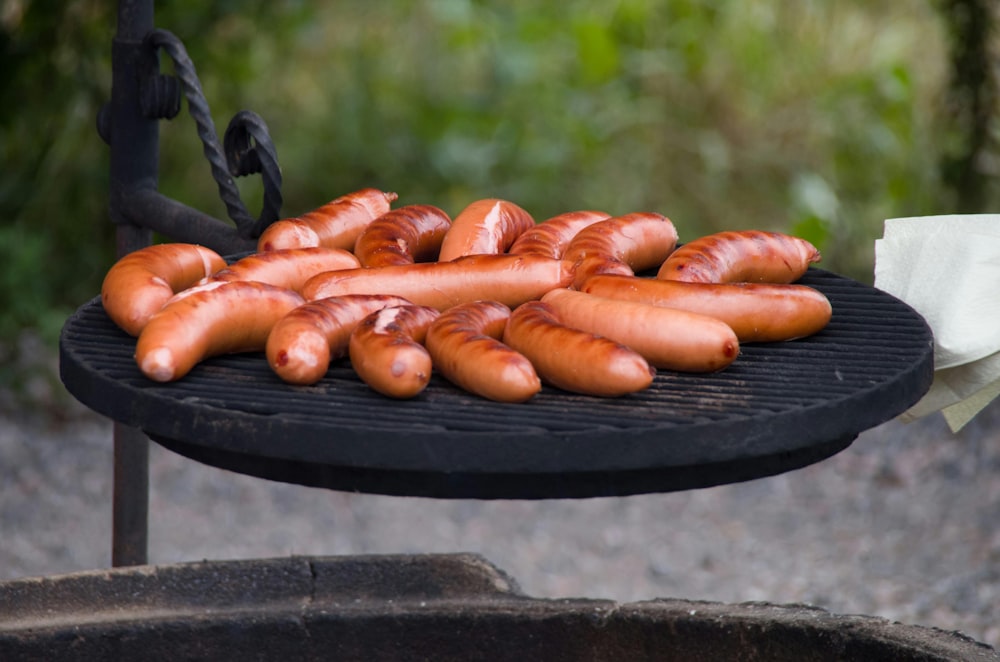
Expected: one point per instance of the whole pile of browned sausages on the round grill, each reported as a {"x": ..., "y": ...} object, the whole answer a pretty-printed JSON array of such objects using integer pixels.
[{"x": 491, "y": 300}]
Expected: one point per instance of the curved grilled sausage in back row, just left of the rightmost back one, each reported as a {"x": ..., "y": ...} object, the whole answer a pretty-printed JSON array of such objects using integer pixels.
[{"x": 622, "y": 245}]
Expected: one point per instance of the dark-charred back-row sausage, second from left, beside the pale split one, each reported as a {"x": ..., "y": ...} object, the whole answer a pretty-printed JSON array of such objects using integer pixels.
[{"x": 403, "y": 236}]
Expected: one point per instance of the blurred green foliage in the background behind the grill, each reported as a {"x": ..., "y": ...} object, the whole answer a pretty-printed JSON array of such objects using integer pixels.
[{"x": 814, "y": 117}]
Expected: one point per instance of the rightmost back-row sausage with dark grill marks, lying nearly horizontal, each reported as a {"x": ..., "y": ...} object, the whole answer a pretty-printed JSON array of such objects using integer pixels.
[{"x": 740, "y": 256}]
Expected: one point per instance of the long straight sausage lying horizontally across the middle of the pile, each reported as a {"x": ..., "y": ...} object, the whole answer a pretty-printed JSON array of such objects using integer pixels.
[{"x": 510, "y": 279}]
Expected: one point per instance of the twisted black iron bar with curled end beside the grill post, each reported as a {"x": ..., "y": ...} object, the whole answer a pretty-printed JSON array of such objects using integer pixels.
[{"x": 222, "y": 170}]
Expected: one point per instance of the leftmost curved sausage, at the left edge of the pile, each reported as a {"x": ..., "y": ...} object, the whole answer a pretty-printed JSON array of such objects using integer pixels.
[{"x": 140, "y": 283}]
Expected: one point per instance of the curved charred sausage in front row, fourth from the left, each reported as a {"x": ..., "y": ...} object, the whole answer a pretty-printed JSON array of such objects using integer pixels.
[{"x": 464, "y": 343}]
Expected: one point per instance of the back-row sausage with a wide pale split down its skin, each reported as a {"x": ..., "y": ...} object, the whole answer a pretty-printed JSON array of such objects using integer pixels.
[{"x": 485, "y": 227}]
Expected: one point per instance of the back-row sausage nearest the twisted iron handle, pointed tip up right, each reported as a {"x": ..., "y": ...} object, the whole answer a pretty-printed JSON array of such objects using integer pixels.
[{"x": 336, "y": 224}]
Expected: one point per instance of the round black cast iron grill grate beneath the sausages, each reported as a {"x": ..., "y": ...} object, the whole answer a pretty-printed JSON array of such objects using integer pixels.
[{"x": 778, "y": 407}]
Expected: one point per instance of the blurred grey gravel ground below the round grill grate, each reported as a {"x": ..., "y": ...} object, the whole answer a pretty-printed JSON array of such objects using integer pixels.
[{"x": 904, "y": 524}]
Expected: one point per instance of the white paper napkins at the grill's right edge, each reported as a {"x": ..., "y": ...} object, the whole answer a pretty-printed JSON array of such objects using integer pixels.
[{"x": 947, "y": 268}]
